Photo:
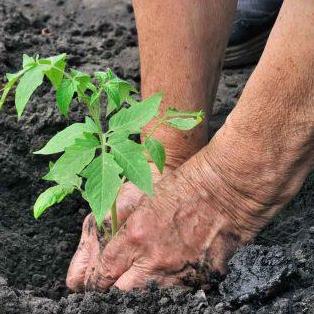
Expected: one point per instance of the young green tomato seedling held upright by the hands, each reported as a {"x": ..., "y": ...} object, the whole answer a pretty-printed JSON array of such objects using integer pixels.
[{"x": 97, "y": 158}]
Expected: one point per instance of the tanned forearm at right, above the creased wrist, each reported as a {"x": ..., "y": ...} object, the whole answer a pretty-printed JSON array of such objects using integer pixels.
[{"x": 286, "y": 66}]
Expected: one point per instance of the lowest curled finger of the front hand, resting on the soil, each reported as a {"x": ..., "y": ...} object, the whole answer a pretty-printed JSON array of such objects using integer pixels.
[{"x": 136, "y": 277}]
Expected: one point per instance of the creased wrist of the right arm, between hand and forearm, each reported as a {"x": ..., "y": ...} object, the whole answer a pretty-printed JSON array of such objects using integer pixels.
[{"x": 244, "y": 181}]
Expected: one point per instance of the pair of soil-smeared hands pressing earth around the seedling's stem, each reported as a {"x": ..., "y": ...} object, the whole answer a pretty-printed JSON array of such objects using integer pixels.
[{"x": 160, "y": 238}]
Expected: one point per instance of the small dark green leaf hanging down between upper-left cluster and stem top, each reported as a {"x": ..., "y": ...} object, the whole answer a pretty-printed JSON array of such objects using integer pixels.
[{"x": 65, "y": 93}]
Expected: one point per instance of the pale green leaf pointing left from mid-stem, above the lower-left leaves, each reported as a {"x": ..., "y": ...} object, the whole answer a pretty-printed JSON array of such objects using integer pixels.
[{"x": 67, "y": 137}]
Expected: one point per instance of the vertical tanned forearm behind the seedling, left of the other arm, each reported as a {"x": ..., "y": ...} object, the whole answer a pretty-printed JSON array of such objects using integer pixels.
[{"x": 181, "y": 55}]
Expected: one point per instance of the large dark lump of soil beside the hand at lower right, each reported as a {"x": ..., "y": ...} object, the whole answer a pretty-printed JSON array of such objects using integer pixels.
[{"x": 257, "y": 272}]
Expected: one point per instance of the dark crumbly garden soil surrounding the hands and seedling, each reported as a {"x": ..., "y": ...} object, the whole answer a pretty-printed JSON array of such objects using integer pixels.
[{"x": 273, "y": 275}]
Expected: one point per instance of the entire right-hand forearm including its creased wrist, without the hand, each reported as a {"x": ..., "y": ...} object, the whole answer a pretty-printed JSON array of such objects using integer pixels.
[{"x": 261, "y": 156}]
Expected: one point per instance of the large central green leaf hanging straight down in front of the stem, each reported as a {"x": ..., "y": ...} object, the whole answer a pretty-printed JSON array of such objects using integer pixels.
[{"x": 102, "y": 185}]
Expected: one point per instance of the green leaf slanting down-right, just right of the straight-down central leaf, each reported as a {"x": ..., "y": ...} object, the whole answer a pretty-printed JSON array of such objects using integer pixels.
[{"x": 130, "y": 157}]
